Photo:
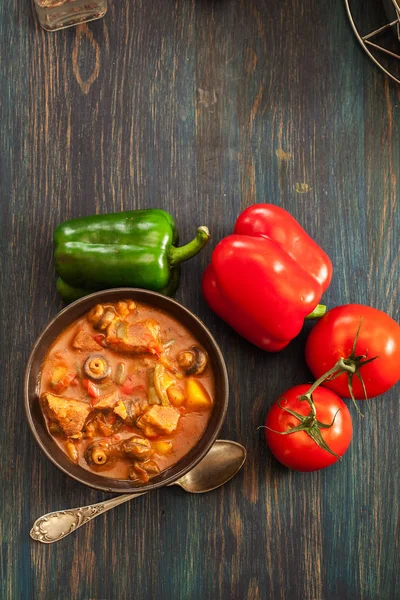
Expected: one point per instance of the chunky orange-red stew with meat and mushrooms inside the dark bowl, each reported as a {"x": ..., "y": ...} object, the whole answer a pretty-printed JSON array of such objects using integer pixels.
[{"x": 171, "y": 346}]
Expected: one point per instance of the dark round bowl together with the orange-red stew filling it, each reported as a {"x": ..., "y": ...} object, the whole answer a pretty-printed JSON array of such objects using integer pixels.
[{"x": 126, "y": 390}]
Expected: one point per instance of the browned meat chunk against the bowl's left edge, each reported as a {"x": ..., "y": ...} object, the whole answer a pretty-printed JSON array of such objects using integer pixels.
[{"x": 68, "y": 413}]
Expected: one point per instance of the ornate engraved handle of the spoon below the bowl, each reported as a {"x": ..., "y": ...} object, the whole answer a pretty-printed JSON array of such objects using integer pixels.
[{"x": 57, "y": 525}]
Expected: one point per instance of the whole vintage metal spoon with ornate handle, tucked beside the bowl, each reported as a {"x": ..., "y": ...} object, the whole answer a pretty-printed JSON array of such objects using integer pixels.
[{"x": 219, "y": 465}]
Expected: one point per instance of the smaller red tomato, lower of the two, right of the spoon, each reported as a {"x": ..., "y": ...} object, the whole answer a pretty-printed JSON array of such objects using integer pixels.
[{"x": 298, "y": 450}]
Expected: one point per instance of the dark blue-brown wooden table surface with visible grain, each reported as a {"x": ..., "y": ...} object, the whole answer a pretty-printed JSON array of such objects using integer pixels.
[{"x": 202, "y": 107}]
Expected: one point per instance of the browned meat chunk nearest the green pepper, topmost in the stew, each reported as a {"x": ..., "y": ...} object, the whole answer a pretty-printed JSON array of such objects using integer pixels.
[{"x": 136, "y": 338}]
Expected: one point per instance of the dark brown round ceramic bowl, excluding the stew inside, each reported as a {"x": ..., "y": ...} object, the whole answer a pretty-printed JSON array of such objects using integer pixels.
[{"x": 65, "y": 318}]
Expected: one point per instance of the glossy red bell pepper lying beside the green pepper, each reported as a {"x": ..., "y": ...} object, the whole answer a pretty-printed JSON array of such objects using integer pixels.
[{"x": 267, "y": 277}]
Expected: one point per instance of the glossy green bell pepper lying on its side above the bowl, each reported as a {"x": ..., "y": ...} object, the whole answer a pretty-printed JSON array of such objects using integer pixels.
[{"x": 136, "y": 248}]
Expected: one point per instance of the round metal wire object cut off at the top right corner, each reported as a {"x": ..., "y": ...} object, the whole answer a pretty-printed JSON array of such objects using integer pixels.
[{"x": 376, "y": 24}]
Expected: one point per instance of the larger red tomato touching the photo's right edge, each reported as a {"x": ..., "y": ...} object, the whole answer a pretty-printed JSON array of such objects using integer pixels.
[{"x": 332, "y": 338}]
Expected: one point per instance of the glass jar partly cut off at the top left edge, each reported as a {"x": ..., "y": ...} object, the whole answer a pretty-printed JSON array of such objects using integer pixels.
[{"x": 58, "y": 14}]
